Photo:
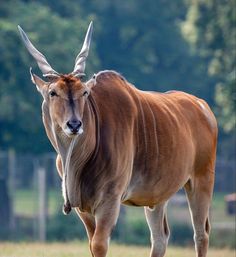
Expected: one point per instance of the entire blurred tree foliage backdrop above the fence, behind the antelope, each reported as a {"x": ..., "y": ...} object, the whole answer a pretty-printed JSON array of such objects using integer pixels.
[{"x": 157, "y": 45}]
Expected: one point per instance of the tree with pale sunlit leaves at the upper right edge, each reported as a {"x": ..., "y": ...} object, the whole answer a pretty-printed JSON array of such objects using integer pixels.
[{"x": 210, "y": 28}]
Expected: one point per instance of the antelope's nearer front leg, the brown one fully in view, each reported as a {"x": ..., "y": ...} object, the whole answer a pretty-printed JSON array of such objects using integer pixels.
[{"x": 105, "y": 217}]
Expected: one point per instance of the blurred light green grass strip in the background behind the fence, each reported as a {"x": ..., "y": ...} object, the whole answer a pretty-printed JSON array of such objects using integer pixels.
[{"x": 25, "y": 203}]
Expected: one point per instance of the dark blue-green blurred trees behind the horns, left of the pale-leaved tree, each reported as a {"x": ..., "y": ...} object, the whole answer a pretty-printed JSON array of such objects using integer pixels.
[{"x": 142, "y": 40}]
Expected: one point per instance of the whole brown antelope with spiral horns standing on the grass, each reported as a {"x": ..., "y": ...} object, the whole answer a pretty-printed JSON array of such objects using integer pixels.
[{"x": 120, "y": 145}]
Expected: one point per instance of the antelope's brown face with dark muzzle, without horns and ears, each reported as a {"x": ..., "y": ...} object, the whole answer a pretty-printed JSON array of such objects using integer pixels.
[{"x": 66, "y": 99}]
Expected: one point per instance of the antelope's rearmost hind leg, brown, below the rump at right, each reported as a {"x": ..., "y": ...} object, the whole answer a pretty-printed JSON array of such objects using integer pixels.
[{"x": 199, "y": 192}]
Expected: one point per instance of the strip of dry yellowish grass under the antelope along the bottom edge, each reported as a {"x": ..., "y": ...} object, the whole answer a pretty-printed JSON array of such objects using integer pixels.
[{"x": 80, "y": 249}]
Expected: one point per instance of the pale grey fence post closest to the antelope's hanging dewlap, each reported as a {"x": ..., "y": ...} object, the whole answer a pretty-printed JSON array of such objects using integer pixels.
[{"x": 42, "y": 204}]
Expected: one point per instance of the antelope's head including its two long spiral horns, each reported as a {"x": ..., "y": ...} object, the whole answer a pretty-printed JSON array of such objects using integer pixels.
[{"x": 64, "y": 95}]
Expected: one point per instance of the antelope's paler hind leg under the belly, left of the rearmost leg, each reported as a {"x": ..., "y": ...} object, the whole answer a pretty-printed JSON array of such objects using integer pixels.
[{"x": 157, "y": 222}]
